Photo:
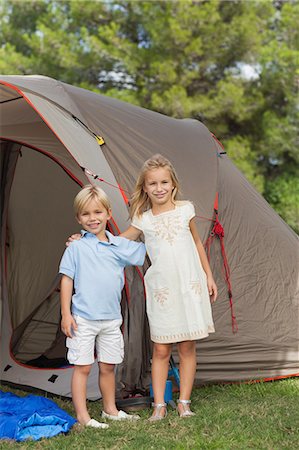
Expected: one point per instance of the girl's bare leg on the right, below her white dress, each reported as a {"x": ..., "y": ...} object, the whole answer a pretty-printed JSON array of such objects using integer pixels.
[{"x": 187, "y": 355}]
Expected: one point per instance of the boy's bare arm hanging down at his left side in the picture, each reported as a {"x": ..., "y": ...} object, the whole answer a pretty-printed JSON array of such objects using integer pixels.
[{"x": 66, "y": 291}]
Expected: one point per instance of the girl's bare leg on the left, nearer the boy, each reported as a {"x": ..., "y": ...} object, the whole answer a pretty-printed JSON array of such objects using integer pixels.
[{"x": 160, "y": 366}]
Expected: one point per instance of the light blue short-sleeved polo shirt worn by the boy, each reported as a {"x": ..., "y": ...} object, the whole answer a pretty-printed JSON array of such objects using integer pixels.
[{"x": 97, "y": 268}]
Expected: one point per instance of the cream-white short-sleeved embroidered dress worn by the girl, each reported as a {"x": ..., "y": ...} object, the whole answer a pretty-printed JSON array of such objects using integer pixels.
[{"x": 177, "y": 298}]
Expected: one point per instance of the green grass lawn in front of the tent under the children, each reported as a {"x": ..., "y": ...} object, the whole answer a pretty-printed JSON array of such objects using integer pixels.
[{"x": 245, "y": 416}]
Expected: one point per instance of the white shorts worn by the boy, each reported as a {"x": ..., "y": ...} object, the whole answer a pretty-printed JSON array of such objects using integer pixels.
[{"x": 102, "y": 337}]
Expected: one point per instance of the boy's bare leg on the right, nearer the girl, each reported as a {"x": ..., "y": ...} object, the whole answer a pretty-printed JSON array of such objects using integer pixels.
[{"x": 107, "y": 387}]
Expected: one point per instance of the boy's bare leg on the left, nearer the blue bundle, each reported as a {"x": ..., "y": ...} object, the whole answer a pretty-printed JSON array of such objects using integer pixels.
[{"x": 79, "y": 384}]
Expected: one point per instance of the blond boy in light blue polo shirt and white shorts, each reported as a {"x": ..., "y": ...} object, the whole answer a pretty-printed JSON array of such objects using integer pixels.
[{"x": 91, "y": 317}]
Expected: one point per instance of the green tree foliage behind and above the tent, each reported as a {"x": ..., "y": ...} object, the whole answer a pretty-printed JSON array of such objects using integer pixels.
[{"x": 182, "y": 58}]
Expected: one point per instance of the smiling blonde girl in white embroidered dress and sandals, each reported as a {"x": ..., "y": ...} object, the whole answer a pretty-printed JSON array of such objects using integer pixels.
[{"x": 179, "y": 284}]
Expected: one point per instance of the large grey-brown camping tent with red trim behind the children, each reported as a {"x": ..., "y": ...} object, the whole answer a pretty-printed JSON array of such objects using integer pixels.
[{"x": 55, "y": 138}]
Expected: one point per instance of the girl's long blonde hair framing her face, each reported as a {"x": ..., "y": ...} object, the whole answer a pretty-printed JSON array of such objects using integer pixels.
[{"x": 140, "y": 201}]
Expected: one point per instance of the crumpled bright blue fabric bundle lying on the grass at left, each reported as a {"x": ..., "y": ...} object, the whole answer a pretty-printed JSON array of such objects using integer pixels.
[{"x": 31, "y": 417}]
